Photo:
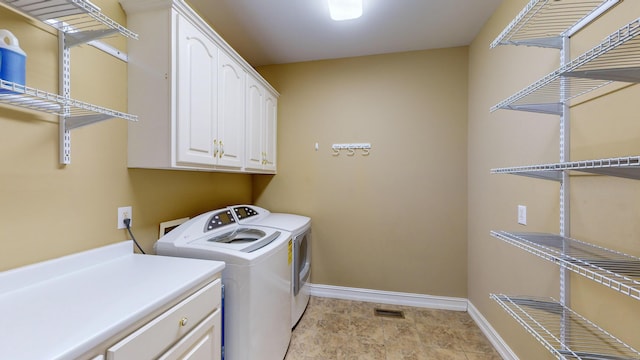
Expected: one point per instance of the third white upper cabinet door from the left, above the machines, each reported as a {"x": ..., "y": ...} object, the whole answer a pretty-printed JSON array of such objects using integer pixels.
[{"x": 255, "y": 115}]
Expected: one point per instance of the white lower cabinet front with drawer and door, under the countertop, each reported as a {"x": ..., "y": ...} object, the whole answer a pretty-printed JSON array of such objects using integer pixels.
[{"x": 190, "y": 329}]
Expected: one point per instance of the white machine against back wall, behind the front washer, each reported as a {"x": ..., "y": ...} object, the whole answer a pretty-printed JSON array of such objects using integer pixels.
[{"x": 300, "y": 228}]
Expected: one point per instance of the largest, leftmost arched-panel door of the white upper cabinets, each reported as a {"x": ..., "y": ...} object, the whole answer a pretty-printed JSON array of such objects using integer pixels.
[{"x": 196, "y": 96}]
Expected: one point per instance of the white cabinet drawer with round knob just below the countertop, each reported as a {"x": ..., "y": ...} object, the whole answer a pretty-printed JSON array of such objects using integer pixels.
[{"x": 155, "y": 337}]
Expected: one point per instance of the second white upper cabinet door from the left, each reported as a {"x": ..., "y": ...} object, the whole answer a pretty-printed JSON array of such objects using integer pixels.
[{"x": 231, "y": 110}]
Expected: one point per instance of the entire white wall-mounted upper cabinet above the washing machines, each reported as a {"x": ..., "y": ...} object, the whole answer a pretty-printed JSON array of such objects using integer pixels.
[{"x": 192, "y": 93}]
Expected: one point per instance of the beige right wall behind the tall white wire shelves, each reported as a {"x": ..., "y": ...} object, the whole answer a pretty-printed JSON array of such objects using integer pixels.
[{"x": 603, "y": 210}]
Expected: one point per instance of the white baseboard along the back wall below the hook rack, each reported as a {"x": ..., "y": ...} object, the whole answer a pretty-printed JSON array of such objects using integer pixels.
[{"x": 389, "y": 297}]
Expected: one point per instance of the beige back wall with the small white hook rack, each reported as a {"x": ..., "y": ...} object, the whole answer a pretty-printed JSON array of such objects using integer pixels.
[{"x": 394, "y": 220}]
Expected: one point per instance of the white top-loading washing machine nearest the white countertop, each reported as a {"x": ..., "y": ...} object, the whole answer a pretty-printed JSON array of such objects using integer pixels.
[{"x": 256, "y": 278}]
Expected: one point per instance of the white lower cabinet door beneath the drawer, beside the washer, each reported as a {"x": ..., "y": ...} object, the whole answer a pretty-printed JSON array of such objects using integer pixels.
[{"x": 202, "y": 343}]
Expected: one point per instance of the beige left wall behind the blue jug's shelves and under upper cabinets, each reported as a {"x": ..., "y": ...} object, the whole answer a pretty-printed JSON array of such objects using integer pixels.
[{"x": 48, "y": 210}]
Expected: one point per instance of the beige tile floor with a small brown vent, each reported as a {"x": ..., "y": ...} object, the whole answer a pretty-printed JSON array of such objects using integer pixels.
[{"x": 333, "y": 329}]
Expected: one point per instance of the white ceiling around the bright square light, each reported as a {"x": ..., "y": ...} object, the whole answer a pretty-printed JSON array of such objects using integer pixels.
[{"x": 268, "y": 32}]
